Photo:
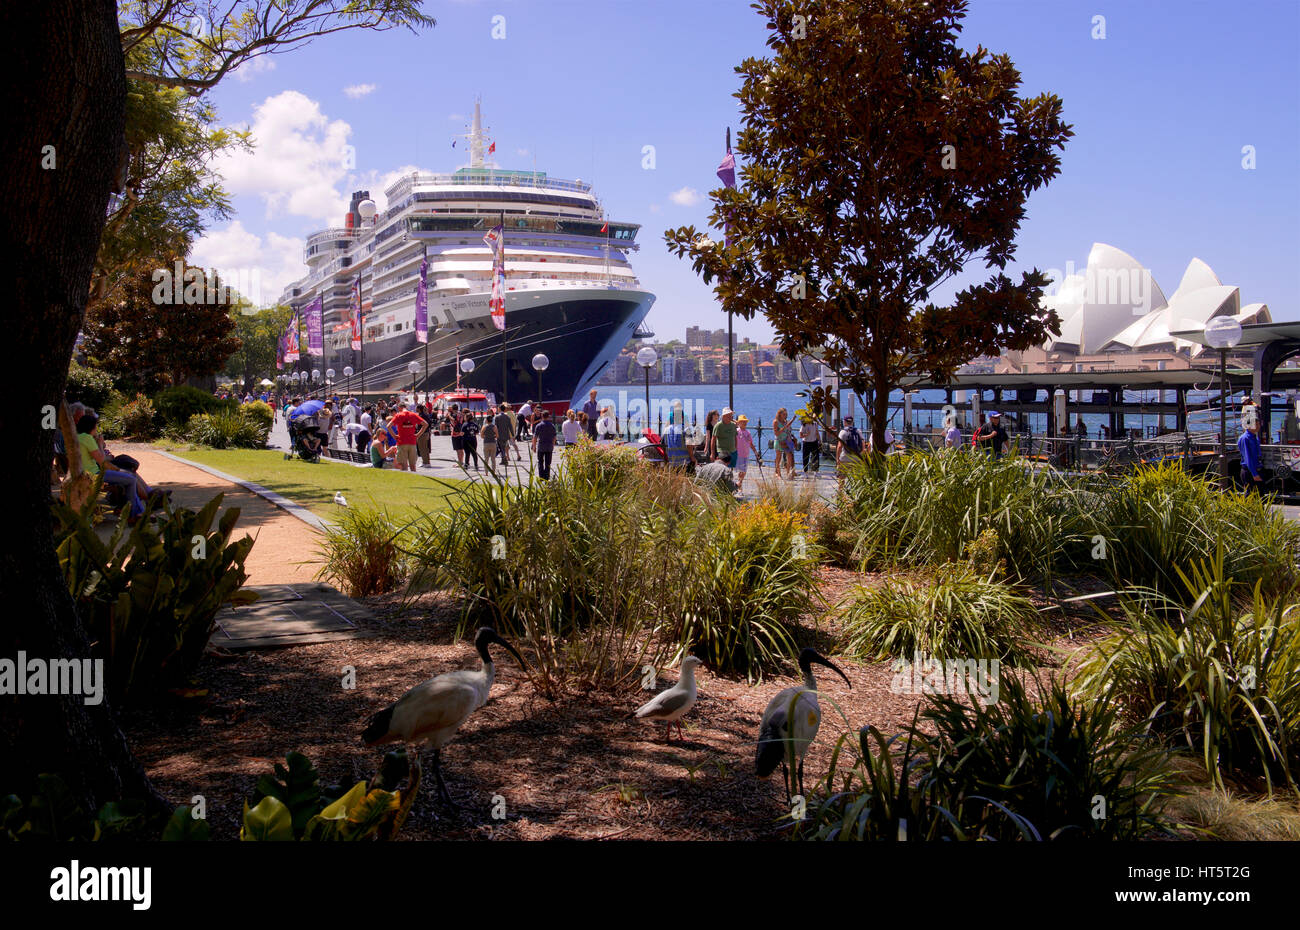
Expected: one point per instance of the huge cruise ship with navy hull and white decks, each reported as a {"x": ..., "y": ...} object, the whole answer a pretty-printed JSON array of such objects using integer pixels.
[{"x": 570, "y": 289}]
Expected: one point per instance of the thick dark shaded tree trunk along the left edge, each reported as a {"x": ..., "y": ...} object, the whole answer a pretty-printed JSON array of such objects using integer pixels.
[{"x": 68, "y": 92}]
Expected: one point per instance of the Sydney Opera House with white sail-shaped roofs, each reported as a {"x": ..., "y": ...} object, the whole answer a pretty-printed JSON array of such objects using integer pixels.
[{"x": 1116, "y": 317}]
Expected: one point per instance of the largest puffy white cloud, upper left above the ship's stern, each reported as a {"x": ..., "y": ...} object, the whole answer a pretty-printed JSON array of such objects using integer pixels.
[{"x": 298, "y": 161}]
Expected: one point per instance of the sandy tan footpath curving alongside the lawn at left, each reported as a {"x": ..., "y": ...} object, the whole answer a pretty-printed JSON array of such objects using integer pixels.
[{"x": 287, "y": 548}]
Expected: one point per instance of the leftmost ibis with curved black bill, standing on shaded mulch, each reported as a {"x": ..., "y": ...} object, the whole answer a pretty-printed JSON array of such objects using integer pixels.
[{"x": 434, "y": 711}]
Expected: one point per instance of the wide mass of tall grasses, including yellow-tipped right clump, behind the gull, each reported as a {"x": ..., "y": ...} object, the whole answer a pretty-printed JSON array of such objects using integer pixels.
[{"x": 608, "y": 569}]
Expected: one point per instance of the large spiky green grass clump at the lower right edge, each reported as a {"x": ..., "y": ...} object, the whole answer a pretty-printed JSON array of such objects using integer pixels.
[{"x": 1215, "y": 677}]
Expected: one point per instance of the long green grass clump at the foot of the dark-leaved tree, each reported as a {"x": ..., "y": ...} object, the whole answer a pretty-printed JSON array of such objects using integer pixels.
[{"x": 926, "y": 508}]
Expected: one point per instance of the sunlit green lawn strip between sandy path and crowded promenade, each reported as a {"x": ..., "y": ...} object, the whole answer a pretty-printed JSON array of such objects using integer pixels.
[{"x": 314, "y": 486}]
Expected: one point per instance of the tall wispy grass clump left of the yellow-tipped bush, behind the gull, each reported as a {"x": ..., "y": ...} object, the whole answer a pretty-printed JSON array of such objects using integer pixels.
[{"x": 579, "y": 573}]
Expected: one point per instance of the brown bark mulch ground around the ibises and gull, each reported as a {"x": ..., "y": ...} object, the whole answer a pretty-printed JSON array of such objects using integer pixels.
[{"x": 574, "y": 769}]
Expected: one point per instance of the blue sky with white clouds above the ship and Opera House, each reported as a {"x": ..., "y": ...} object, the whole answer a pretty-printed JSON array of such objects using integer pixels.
[{"x": 1162, "y": 110}]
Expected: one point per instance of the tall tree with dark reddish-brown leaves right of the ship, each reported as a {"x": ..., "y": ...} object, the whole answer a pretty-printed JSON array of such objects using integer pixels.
[{"x": 879, "y": 159}]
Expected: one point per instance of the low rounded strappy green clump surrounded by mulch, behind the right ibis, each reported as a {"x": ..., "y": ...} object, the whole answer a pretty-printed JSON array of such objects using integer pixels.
[{"x": 954, "y": 615}]
